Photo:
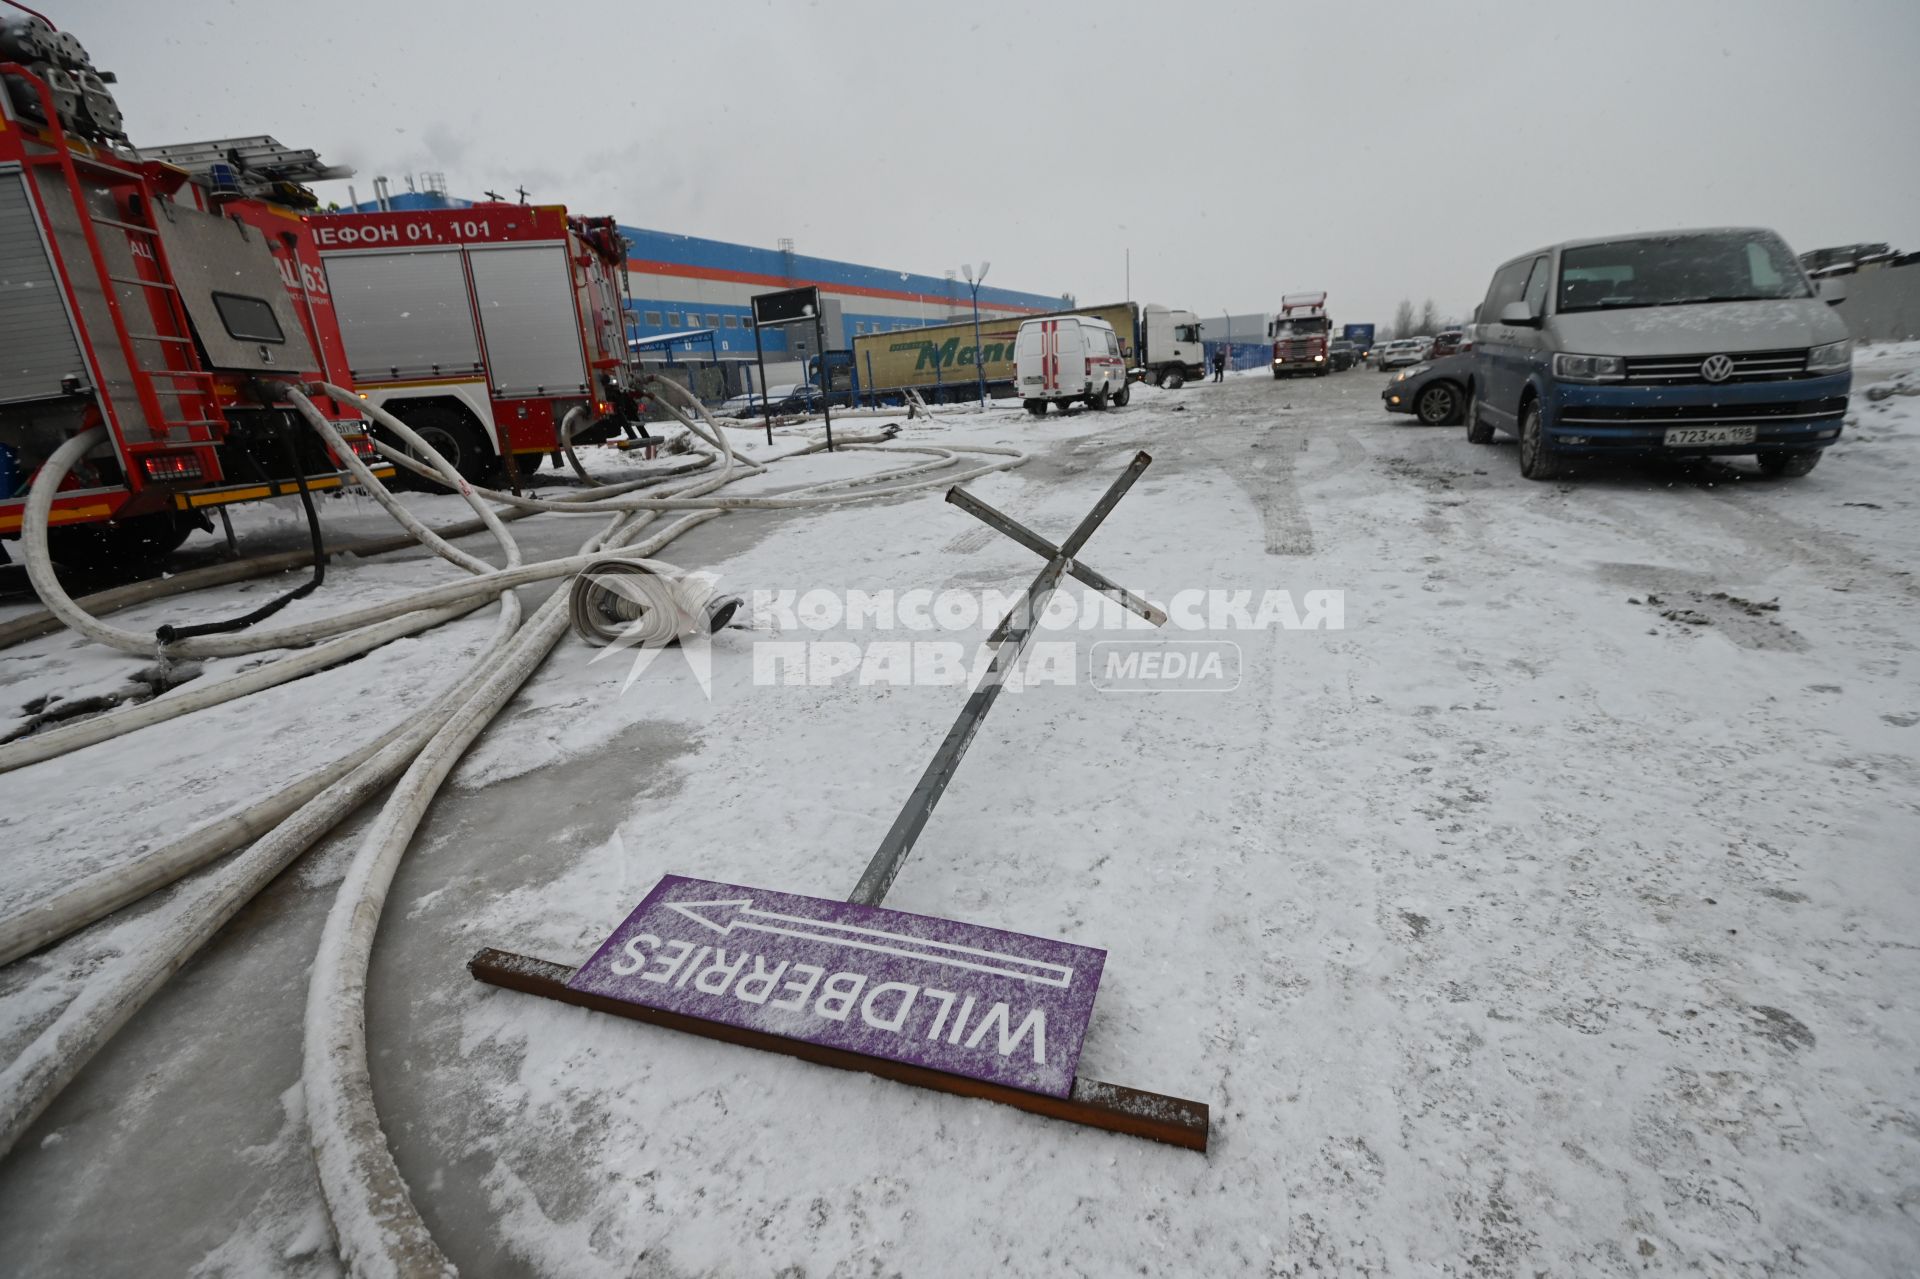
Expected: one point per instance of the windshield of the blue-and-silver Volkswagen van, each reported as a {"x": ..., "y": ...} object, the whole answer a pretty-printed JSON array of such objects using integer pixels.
[{"x": 1668, "y": 272}]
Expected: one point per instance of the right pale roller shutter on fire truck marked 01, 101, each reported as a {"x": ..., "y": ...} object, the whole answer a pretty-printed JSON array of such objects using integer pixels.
[{"x": 527, "y": 312}]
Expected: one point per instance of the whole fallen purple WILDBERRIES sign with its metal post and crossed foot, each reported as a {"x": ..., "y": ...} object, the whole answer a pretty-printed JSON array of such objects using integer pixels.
[{"x": 926, "y": 1001}]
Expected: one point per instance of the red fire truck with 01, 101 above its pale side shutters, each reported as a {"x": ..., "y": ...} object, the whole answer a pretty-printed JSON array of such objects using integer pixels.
[{"x": 483, "y": 327}]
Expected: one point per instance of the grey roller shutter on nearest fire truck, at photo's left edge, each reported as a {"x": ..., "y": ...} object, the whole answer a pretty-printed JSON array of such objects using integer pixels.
[{"x": 34, "y": 322}]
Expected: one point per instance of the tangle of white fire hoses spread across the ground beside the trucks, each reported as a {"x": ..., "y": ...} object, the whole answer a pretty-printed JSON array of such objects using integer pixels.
[{"x": 375, "y": 1222}]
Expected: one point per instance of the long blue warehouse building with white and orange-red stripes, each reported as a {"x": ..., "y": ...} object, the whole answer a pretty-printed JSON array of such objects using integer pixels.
[{"x": 690, "y": 297}]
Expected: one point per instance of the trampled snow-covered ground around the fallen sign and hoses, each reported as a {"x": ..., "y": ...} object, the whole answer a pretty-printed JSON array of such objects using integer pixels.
[{"x": 1556, "y": 915}]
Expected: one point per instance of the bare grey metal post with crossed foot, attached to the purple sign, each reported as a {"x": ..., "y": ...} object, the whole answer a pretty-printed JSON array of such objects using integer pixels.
[{"x": 1011, "y": 639}]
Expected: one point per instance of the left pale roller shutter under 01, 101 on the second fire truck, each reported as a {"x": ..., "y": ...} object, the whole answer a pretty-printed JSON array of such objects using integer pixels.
[{"x": 404, "y": 314}]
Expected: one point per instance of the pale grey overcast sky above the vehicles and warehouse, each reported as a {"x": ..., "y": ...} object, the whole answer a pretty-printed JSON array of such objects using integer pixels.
[{"x": 1241, "y": 151}]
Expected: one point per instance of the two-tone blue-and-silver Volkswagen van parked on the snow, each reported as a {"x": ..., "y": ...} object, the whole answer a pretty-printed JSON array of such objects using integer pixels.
[{"x": 1675, "y": 343}]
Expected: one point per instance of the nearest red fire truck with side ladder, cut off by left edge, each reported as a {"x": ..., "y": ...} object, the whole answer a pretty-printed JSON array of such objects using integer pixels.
[{"x": 141, "y": 299}]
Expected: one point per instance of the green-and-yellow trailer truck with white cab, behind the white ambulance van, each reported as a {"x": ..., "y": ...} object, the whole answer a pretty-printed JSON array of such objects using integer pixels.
[{"x": 940, "y": 362}]
